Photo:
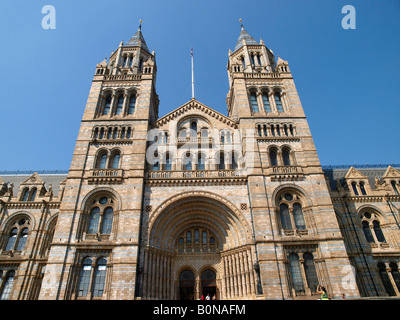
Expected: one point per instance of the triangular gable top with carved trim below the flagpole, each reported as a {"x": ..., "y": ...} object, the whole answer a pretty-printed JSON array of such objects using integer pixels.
[{"x": 195, "y": 108}]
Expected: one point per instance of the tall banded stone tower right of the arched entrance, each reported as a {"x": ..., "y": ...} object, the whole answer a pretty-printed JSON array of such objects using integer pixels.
[{"x": 296, "y": 233}]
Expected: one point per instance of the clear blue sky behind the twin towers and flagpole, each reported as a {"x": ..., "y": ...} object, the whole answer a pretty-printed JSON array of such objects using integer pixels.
[{"x": 348, "y": 80}]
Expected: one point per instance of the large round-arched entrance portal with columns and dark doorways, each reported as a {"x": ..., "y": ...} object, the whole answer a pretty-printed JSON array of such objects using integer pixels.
[{"x": 198, "y": 245}]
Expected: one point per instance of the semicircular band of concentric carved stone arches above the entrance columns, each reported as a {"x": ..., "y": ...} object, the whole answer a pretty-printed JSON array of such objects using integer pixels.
[{"x": 217, "y": 214}]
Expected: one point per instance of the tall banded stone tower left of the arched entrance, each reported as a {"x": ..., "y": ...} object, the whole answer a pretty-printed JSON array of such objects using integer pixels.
[{"x": 97, "y": 233}]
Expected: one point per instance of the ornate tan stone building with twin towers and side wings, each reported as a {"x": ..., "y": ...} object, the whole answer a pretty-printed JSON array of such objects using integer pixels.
[{"x": 196, "y": 202}]
